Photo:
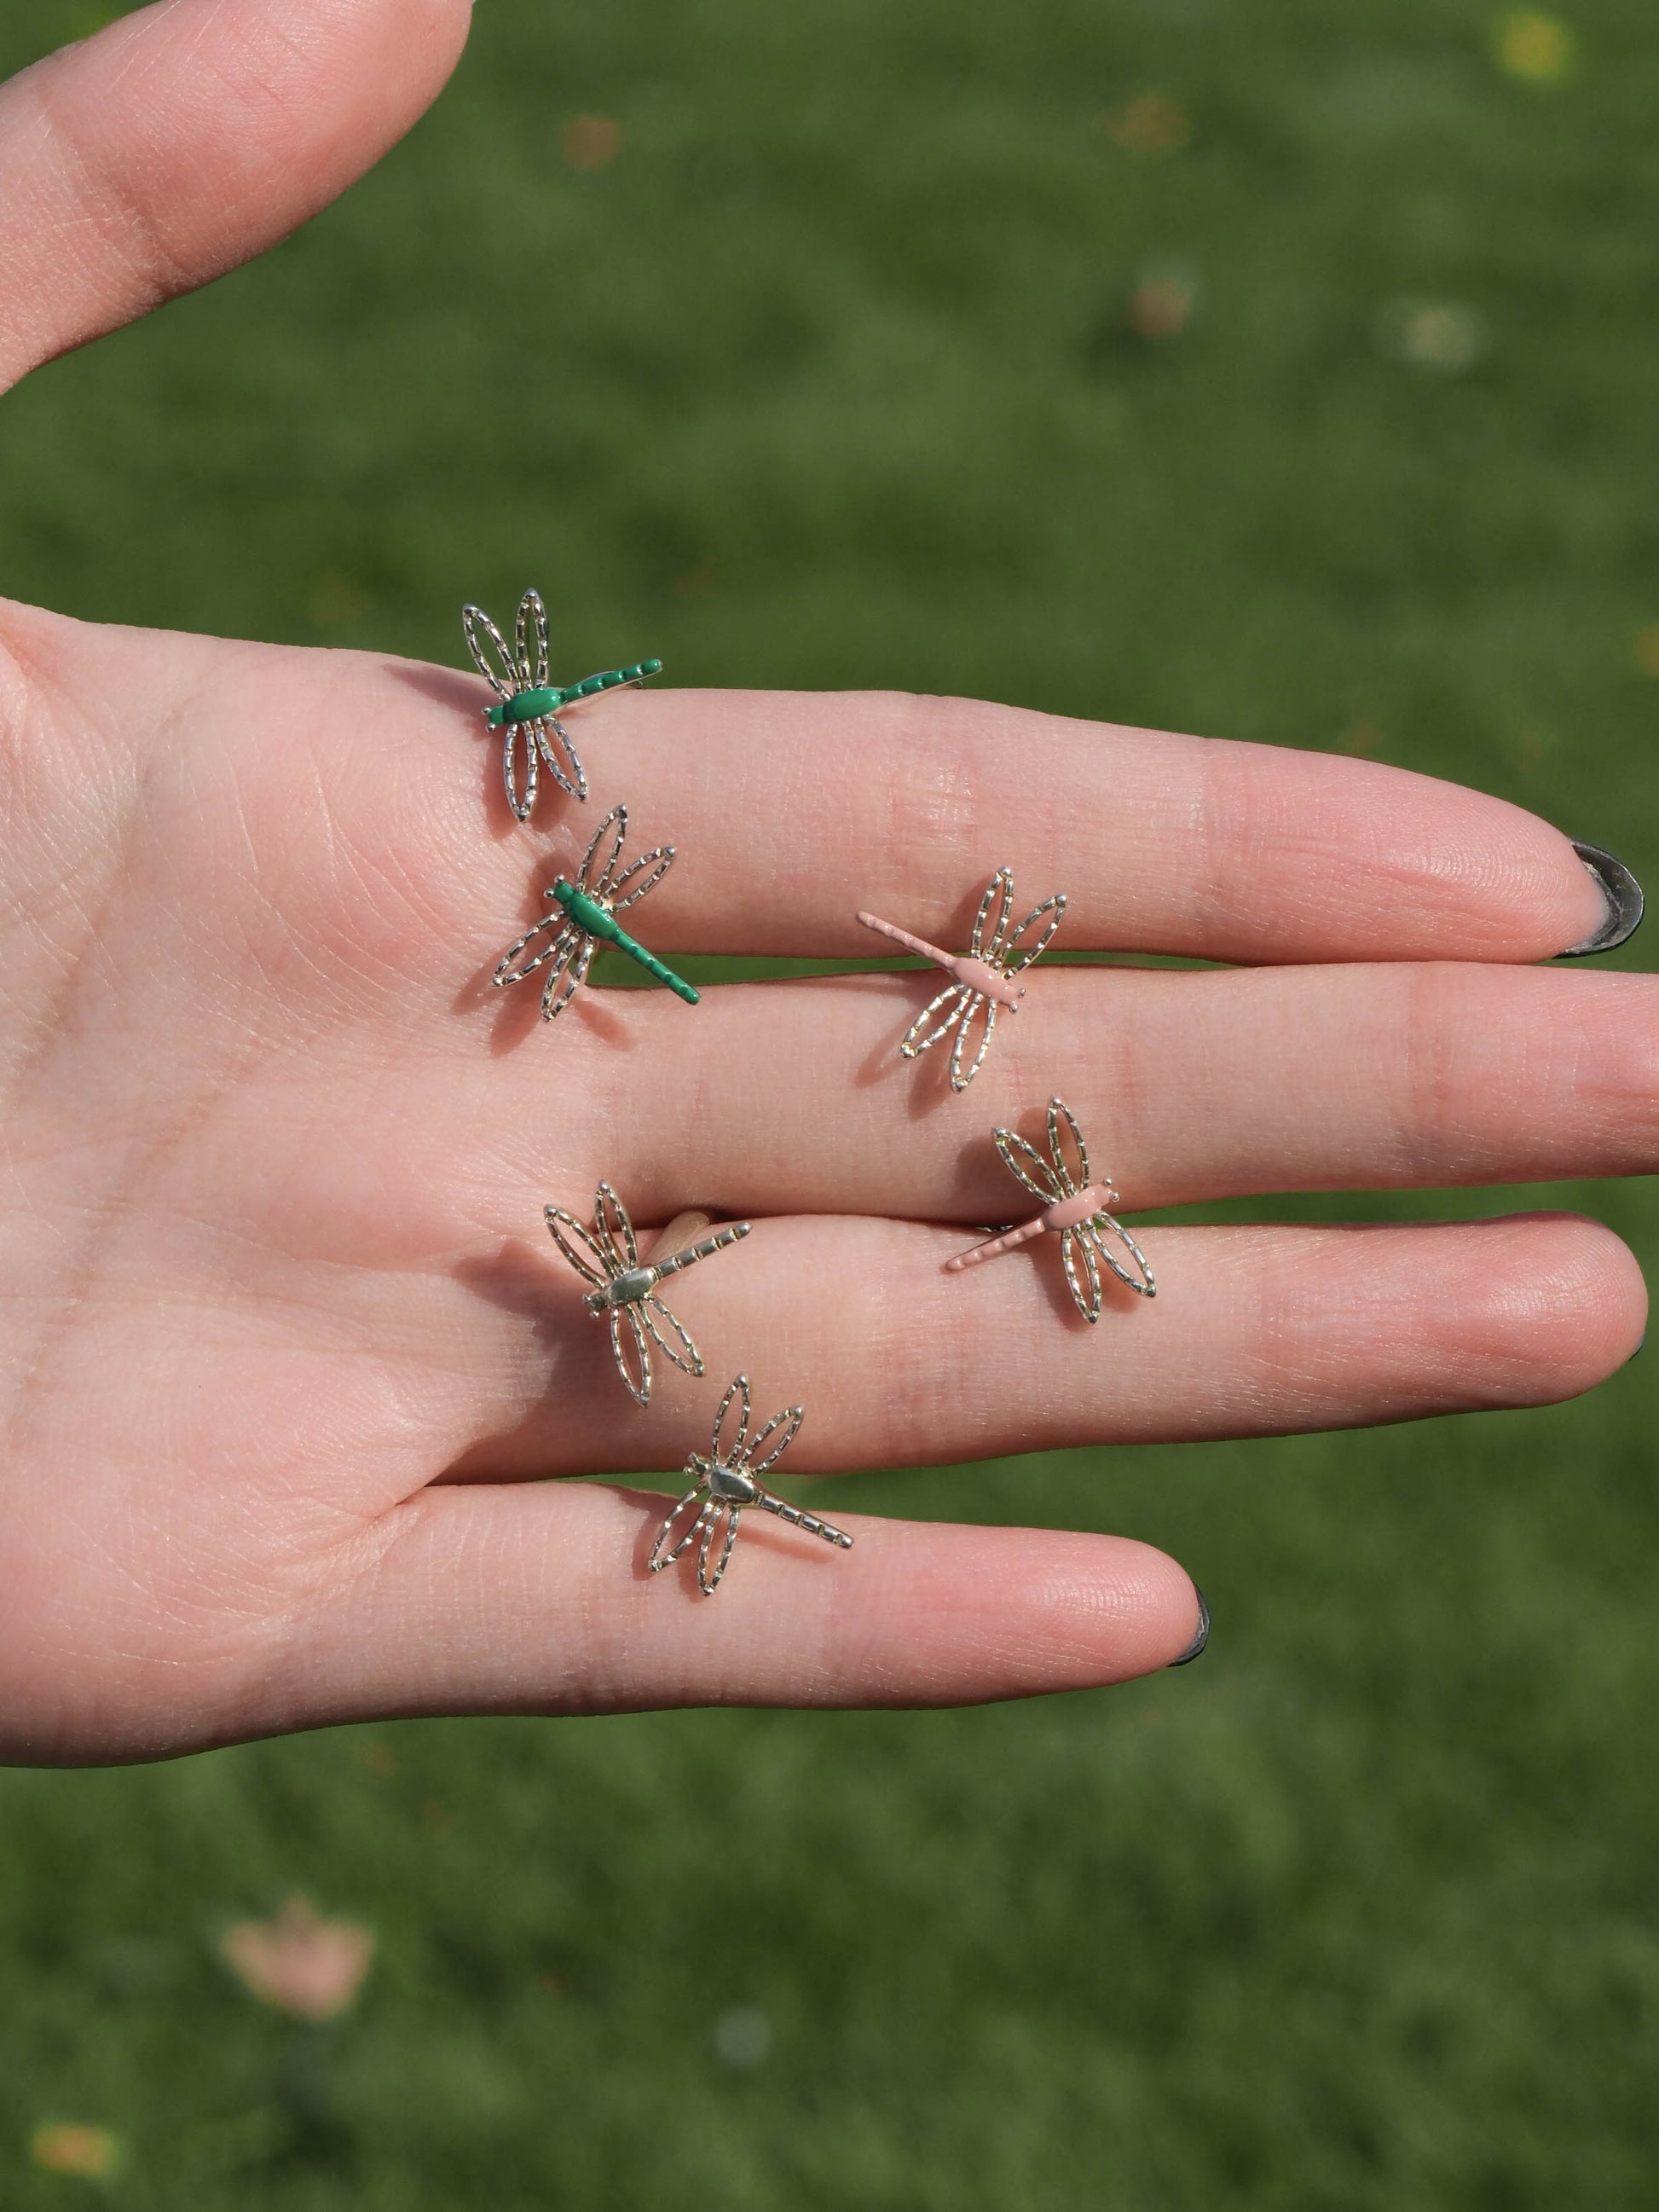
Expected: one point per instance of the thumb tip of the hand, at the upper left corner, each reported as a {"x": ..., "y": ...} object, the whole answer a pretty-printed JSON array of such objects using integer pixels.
[{"x": 189, "y": 138}]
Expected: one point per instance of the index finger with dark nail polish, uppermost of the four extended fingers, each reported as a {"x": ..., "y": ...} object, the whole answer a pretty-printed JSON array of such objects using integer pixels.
[{"x": 793, "y": 811}]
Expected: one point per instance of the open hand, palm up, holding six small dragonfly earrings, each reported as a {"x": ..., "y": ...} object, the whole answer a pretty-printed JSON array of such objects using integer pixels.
[{"x": 284, "y": 1337}]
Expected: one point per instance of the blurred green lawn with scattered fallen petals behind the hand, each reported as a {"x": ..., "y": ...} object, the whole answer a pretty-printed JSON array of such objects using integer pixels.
[{"x": 1264, "y": 368}]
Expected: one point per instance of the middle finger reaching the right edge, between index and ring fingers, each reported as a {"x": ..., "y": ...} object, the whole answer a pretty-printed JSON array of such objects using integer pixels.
[{"x": 1202, "y": 1085}]
